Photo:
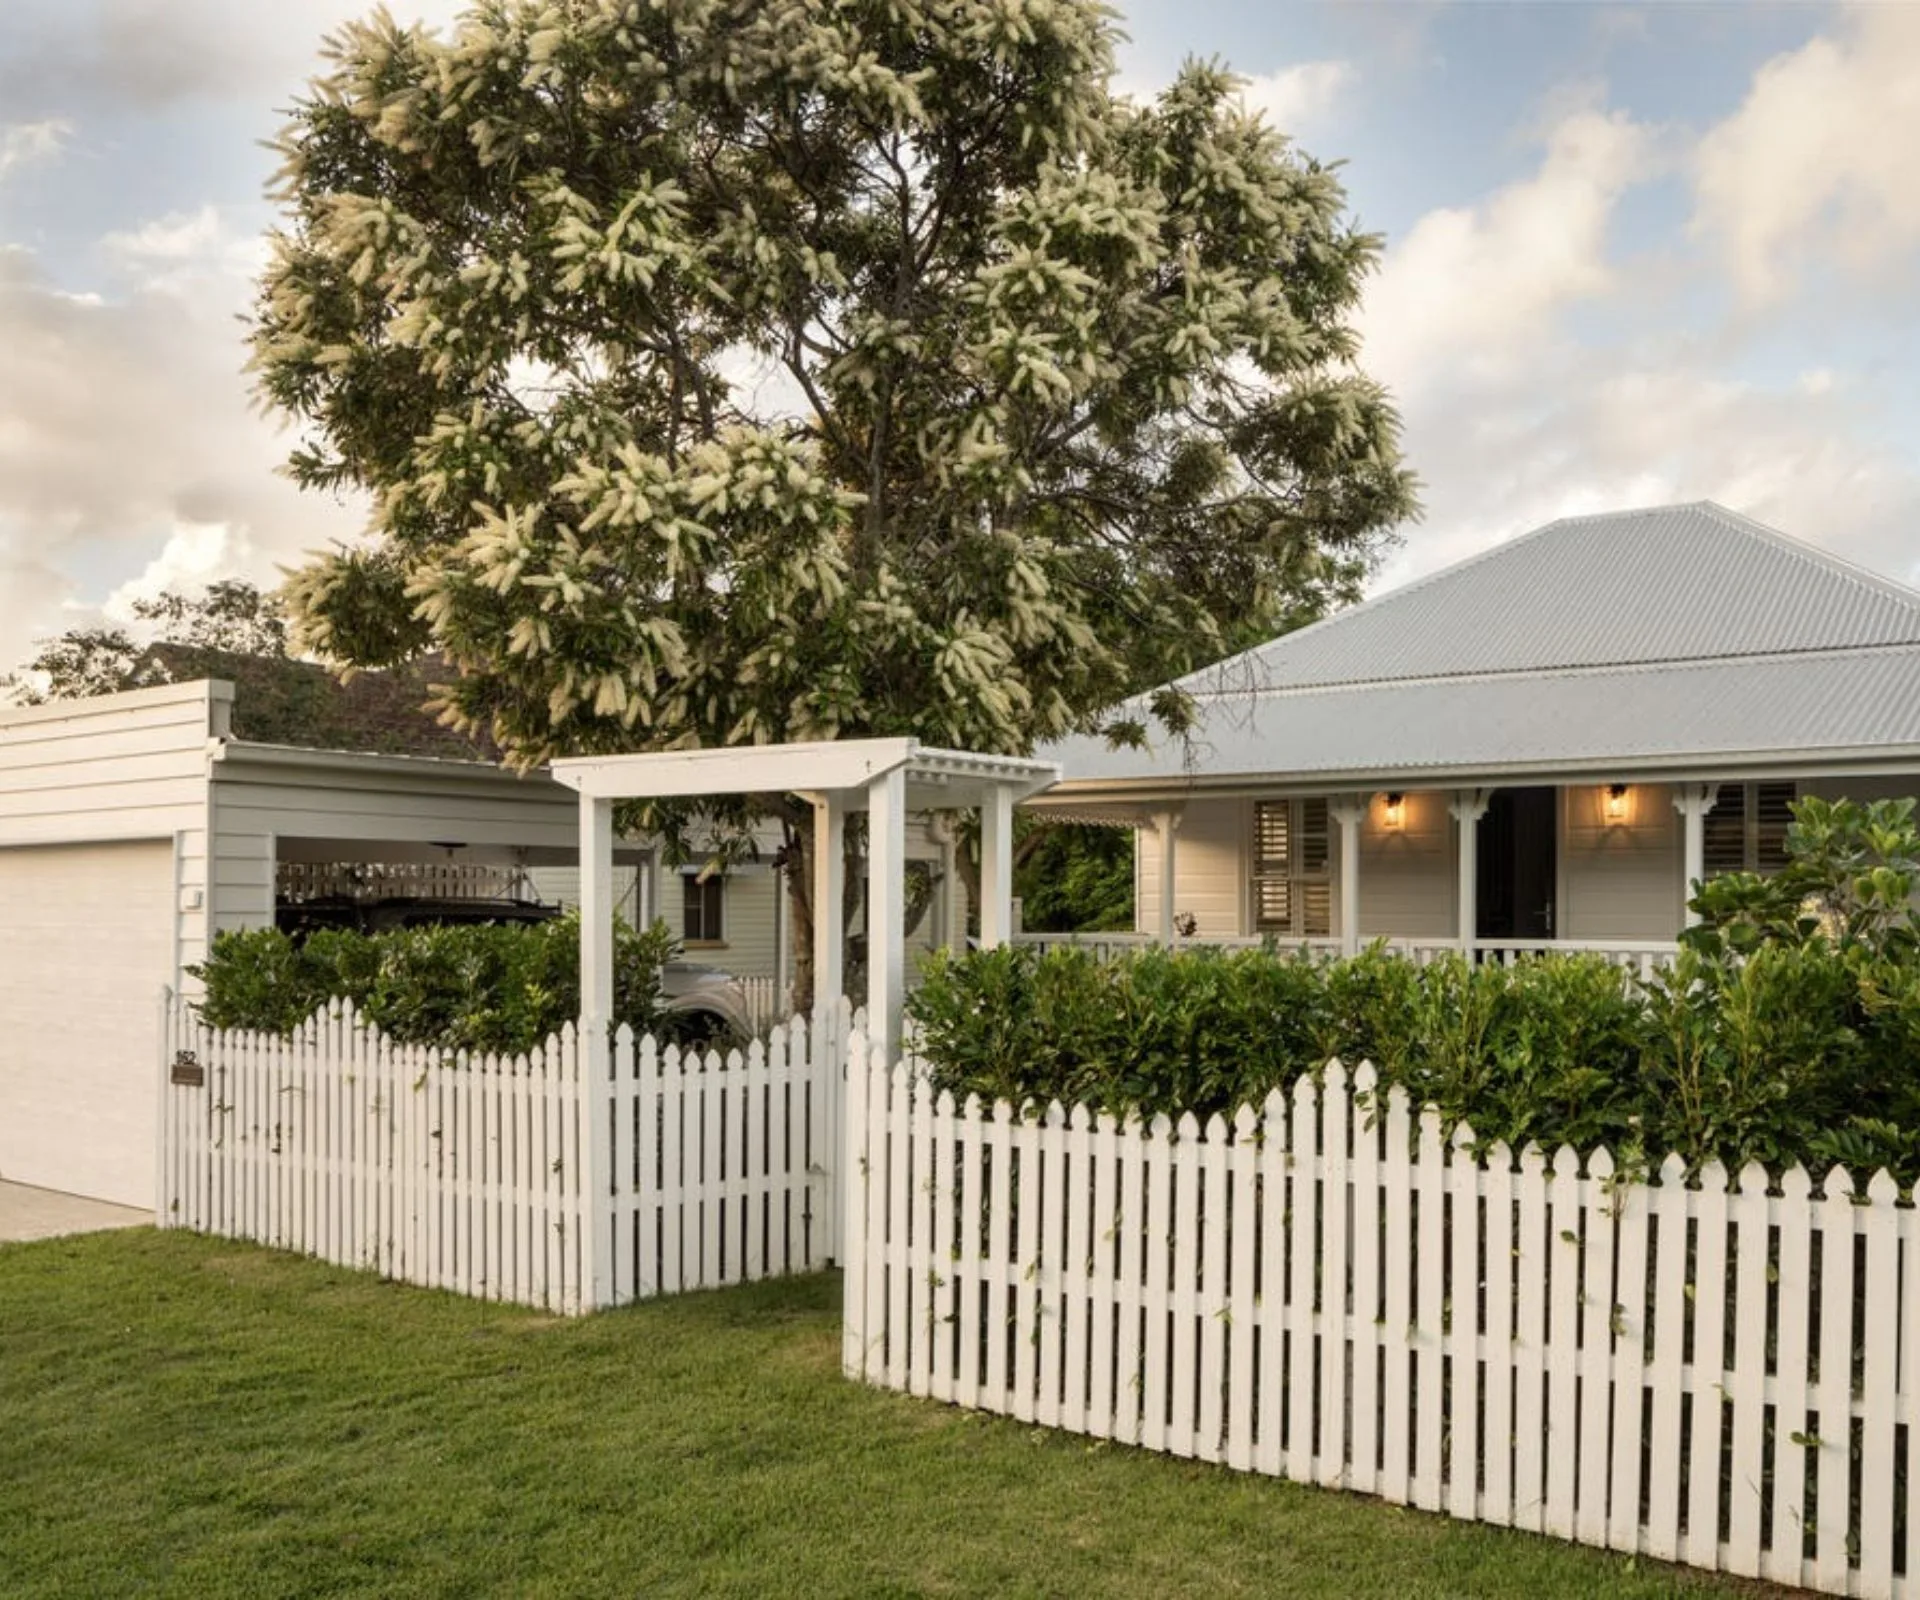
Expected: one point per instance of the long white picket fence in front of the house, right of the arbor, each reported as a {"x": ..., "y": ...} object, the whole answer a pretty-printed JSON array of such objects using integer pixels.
[{"x": 1712, "y": 1374}]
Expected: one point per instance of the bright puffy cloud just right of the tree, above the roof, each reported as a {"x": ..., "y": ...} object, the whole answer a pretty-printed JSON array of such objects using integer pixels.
[{"x": 1472, "y": 293}]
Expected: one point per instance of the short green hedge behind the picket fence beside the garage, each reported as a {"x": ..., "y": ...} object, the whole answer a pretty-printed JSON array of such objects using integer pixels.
[{"x": 464, "y": 988}]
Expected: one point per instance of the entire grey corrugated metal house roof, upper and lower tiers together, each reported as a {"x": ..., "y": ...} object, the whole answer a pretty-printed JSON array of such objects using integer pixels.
[{"x": 1618, "y": 639}]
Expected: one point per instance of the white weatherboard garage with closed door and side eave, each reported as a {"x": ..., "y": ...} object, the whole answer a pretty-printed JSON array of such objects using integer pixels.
[{"x": 132, "y": 829}]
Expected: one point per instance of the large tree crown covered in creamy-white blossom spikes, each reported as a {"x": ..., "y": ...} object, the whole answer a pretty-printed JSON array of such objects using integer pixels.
[{"x": 765, "y": 370}]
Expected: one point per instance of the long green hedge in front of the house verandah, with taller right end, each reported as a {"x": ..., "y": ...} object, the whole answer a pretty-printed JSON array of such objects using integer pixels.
[{"x": 1788, "y": 1029}]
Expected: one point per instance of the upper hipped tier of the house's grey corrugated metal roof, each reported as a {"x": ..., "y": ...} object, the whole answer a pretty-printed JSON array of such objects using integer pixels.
[{"x": 1681, "y": 583}]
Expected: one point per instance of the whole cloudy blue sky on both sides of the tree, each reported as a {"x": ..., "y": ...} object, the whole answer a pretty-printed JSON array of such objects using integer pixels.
[{"x": 1633, "y": 255}]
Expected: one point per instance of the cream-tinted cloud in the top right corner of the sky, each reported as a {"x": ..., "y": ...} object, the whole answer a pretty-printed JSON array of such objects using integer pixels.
[{"x": 1817, "y": 162}]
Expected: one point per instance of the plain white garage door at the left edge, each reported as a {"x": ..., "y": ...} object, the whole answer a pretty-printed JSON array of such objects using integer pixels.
[{"x": 85, "y": 944}]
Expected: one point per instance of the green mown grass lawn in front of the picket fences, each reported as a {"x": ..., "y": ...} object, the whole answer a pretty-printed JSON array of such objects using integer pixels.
[{"x": 187, "y": 1417}]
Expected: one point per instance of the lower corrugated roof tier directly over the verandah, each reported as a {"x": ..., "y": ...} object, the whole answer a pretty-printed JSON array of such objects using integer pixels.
[{"x": 1800, "y": 704}]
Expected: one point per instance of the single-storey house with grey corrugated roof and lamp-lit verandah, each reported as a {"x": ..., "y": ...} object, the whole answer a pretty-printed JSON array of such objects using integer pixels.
[{"x": 1541, "y": 746}]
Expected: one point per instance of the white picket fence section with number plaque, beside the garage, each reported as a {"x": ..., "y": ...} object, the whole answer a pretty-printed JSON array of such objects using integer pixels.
[{"x": 550, "y": 1178}]
